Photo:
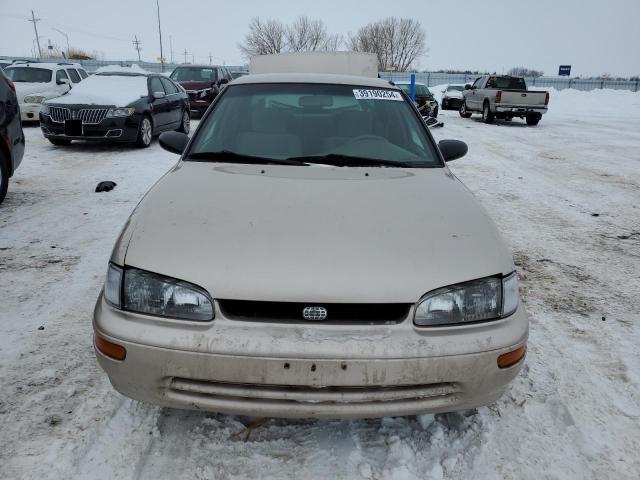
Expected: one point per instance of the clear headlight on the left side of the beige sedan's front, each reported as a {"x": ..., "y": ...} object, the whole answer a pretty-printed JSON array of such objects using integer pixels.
[{"x": 145, "y": 292}]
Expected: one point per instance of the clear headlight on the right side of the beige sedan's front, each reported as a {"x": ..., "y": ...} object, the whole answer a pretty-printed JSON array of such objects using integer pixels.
[{"x": 484, "y": 299}]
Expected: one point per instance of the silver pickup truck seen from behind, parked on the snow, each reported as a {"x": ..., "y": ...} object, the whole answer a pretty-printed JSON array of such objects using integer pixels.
[{"x": 505, "y": 97}]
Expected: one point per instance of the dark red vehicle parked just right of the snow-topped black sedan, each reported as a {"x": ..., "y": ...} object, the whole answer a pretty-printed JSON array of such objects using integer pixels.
[{"x": 202, "y": 83}]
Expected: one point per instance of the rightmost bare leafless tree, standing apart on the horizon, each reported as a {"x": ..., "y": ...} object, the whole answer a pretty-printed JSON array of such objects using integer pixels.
[{"x": 397, "y": 42}]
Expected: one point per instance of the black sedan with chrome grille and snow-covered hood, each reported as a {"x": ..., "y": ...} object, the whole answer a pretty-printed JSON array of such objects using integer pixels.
[{"x": 117, "y": 107}]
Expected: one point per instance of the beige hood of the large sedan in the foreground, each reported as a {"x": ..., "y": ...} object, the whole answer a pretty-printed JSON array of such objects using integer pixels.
[{"x": 281, "y": 233}]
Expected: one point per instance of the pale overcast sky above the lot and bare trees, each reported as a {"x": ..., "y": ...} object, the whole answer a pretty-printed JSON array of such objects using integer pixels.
[{"x": 592, "y": 36}]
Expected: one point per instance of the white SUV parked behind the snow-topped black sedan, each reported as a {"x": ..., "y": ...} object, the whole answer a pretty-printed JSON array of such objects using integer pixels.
[{"x": 37, "y": 82}]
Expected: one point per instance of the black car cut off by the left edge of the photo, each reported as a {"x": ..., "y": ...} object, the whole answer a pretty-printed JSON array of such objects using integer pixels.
[{"x": 11, "y": 135}]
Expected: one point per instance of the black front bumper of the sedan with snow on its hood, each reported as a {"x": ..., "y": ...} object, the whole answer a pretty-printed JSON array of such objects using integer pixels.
[{"x": 118, "y": 129}]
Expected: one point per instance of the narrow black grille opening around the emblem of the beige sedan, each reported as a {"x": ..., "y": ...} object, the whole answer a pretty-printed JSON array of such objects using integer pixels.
[{"x": 336, "y": 312}]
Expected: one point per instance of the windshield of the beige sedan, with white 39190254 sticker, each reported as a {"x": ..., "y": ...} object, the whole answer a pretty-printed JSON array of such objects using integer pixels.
[{"x": 314, "y": 123}]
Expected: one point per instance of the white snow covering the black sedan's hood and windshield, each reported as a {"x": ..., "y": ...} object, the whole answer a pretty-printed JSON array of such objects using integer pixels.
[{"x": 114, "y": 90}]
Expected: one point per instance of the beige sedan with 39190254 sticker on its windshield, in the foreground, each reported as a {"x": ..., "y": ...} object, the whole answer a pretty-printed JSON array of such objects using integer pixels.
[{"x": 311, "y": 255}]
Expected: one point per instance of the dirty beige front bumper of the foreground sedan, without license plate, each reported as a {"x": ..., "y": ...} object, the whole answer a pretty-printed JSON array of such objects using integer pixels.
[{"x": 286, "y": 370}]
